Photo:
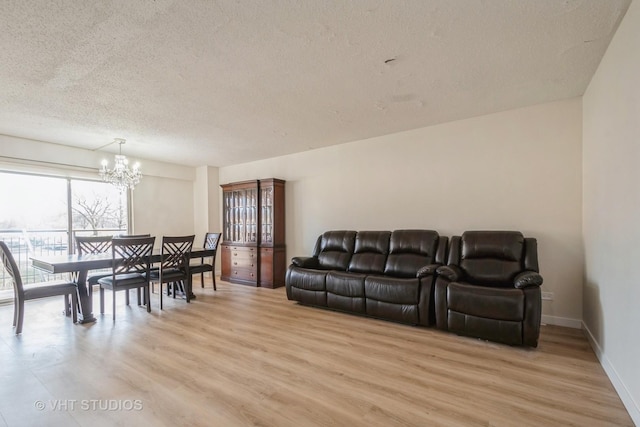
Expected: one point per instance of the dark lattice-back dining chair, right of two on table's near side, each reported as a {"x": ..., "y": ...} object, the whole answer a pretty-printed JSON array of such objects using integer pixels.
[{"x": 174, "y": 265}]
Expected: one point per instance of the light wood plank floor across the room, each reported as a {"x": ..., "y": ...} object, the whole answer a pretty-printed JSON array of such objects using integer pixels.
[{"x": 248, "y": 356}]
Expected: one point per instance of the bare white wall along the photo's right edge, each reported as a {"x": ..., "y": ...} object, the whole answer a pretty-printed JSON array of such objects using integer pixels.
[{"x": 611, "y": 210}]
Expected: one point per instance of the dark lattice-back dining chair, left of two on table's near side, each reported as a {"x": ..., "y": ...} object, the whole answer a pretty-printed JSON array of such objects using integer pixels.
[{"x": 130, "y": 269}]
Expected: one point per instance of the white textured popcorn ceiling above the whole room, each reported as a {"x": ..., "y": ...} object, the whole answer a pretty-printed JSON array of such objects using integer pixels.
[{"x": 206, "y": 82}]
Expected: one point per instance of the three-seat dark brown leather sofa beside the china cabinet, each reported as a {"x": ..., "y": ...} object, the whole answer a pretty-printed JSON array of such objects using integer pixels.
[{"x": 388, "y": 275}]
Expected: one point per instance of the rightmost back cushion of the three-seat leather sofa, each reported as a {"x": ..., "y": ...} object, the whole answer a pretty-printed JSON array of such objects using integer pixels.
[{"x": 410, "y": 250}]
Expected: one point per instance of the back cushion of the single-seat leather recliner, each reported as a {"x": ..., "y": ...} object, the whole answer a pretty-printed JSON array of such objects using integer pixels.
[{"x": 492, "y": 257}]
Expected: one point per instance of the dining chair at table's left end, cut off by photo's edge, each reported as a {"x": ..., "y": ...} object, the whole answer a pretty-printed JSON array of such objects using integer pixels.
[{"x": 33, "y": 291}]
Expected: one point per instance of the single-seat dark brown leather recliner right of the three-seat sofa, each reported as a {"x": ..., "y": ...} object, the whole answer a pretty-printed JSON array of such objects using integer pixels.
[{"x": 490, "y": 288}]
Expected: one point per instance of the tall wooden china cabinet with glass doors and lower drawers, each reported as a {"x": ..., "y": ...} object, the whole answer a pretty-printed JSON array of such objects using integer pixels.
[{"x": 253, "y": 241}]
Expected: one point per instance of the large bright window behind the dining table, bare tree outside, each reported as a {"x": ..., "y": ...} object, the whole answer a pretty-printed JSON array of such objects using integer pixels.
[{"x": 42, "y": 215}]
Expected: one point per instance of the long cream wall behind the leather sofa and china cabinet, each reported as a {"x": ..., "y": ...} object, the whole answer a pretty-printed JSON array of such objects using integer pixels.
[{"x": 519, "y": 169}]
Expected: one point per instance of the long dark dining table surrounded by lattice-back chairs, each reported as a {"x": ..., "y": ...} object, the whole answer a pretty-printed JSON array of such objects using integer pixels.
[{"x": 80, "y": 265}]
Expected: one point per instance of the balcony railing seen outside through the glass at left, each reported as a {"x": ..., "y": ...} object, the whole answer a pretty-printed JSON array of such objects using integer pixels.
[{"x": 26, "y": 243}]
